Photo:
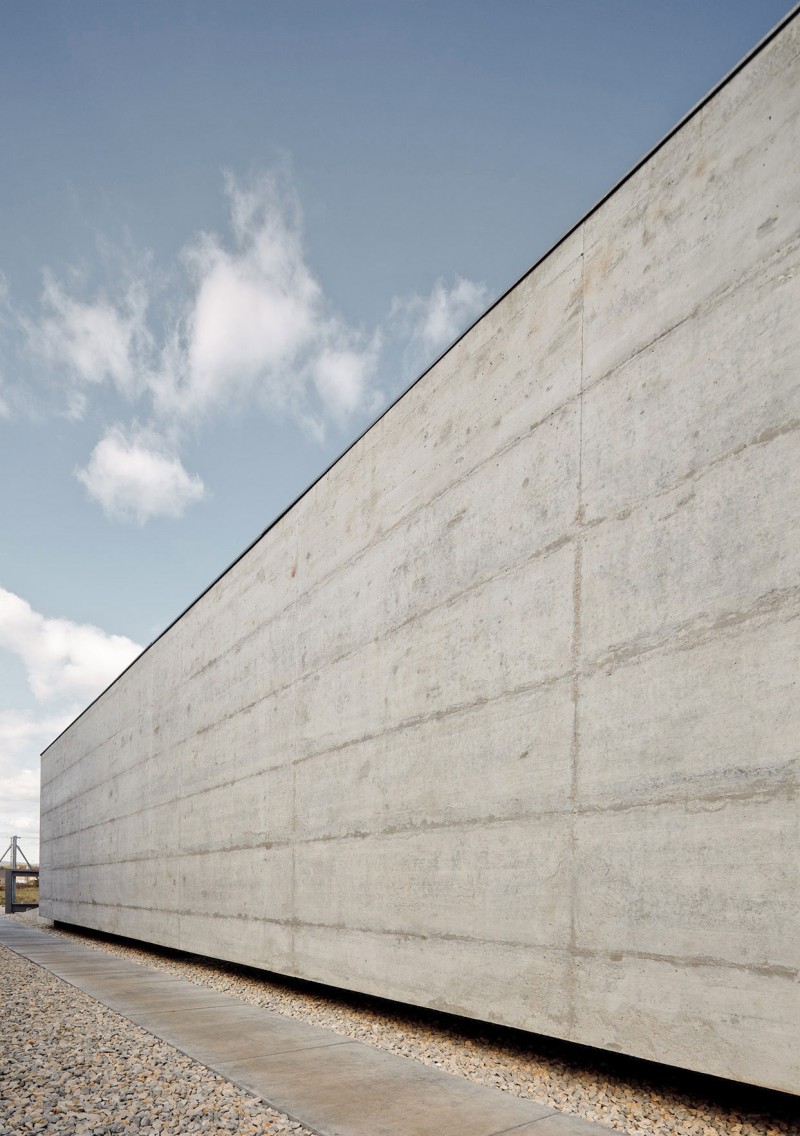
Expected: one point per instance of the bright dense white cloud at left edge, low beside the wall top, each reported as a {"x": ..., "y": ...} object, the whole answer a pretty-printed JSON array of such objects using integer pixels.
[{"x": 62, "y": 658}]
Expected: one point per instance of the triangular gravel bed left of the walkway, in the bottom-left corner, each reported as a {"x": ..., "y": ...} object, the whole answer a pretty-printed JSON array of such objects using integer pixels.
[{"x": 71, "y": 1066}]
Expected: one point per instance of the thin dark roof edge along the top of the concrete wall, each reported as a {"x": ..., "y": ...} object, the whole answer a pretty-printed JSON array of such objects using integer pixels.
[{"x": 618, "y": 186}]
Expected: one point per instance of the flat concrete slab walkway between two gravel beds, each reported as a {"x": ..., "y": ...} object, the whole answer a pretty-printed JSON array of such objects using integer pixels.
[{"x": 331, "y": 1084}]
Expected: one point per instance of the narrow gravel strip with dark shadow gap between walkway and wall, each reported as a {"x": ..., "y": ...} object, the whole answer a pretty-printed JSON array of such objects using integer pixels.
[{"x": 631, "y": 1097}]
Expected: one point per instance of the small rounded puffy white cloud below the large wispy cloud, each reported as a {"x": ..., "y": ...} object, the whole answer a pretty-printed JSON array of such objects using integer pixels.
[{"x": 136, "y": 479}]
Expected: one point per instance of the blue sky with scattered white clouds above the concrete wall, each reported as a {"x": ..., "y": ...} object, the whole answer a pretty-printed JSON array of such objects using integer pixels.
[{"x": 230, "y": 235}]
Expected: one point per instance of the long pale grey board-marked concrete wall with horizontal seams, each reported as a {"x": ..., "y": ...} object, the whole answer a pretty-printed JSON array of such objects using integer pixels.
[{"x": 503, "y": 716}]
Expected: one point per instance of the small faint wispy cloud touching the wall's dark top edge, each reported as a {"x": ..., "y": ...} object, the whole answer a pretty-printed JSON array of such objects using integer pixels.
[{"x": 431, "y": 323}]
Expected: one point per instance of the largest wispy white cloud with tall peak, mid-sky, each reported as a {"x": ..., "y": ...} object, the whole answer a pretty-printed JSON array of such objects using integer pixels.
[{"x": 259, "y": 327}]
